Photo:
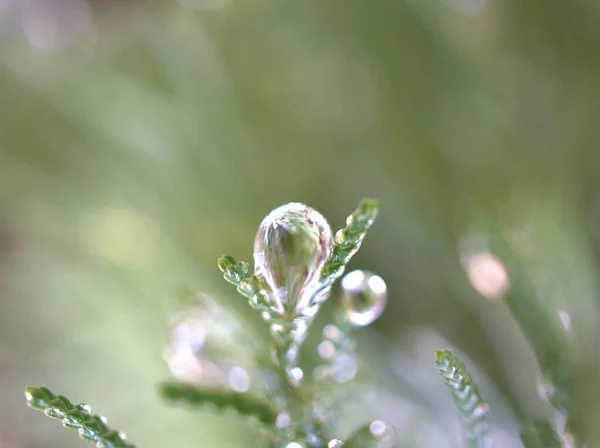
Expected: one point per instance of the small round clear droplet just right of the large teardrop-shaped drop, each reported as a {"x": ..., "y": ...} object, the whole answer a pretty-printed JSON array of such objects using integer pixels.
[{"x": 365, "y": 297}]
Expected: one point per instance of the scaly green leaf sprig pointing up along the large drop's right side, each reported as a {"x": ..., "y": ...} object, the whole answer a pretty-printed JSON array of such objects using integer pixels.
[{"x": 349, "y": 239}]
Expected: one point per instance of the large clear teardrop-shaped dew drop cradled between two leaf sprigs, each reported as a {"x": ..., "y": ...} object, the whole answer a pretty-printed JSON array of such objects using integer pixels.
[{"x": 290, "y": 250}]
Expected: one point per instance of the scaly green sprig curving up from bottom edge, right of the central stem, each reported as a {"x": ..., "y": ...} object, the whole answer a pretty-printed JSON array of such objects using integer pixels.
[{"x": 473, "y": 409}]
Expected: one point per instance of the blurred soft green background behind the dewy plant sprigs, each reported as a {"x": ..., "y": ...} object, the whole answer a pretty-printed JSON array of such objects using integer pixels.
[{"x": 139, "y": 141}]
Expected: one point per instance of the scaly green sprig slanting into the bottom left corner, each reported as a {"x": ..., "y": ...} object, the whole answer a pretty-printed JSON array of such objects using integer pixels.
[{"x": 90, "y": 427}]
